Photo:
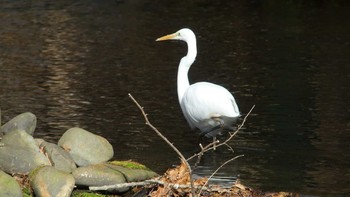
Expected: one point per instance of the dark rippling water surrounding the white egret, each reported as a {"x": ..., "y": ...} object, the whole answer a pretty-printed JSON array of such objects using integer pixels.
[{"x": 74, "y": 63}]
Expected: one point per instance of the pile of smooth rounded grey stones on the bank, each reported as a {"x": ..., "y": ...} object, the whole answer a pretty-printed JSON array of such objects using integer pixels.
[{"x": 80, "y": 158}]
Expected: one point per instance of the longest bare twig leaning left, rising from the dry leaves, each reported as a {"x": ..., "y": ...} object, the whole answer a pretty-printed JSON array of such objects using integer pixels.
[{"x": 167, "y": 141}]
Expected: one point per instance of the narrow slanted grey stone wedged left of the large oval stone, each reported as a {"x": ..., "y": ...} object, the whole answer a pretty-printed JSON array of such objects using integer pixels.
[{"x": 59, "y": 158}]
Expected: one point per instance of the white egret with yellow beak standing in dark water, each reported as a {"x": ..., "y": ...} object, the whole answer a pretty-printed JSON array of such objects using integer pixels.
[{"x": 209, "y": 107}]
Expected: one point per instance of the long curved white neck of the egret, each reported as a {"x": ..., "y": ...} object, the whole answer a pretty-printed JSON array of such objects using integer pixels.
[{"x": 184, "y": 66}]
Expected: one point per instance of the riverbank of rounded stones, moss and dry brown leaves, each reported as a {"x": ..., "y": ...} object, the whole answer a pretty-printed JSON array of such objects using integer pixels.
[{"x": 79, "y": 165}]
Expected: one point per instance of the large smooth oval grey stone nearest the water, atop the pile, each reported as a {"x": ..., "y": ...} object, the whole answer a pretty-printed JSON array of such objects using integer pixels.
[{"x": 85, "y": 147}]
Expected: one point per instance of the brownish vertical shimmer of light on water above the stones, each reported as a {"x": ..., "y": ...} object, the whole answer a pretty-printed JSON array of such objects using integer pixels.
[{"x": 61, "y": 54}]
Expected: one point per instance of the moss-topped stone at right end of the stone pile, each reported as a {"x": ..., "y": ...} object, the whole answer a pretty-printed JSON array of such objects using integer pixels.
[{"x": 132, "y": 171}]
